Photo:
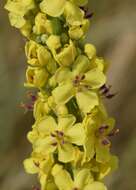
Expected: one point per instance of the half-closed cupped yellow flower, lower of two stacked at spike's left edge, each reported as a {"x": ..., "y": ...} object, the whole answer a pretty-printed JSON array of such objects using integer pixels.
[{"x": 36, "y": 77}]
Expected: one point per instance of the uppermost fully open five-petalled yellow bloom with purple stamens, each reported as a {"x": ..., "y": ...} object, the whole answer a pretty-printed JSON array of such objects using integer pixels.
[{"x": 80, "y": 82}]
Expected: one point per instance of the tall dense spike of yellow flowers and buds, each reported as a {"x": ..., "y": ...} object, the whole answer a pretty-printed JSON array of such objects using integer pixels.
[{"x": 71, "y": 134}]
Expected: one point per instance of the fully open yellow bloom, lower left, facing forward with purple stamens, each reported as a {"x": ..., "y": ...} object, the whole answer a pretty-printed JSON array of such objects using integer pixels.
[{"x": 59, "y": 137}]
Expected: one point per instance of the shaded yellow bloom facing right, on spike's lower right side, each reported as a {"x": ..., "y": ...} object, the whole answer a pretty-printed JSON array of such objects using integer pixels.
[{"x": 97, "y": 144}]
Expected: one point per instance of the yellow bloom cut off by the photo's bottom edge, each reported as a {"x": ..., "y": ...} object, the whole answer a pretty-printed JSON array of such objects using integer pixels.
[{"x": 83, "y": 180}]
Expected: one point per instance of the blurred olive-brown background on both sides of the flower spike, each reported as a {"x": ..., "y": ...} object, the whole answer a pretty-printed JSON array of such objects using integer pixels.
[{"x": 113, "y": 31}]
